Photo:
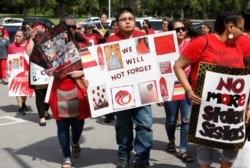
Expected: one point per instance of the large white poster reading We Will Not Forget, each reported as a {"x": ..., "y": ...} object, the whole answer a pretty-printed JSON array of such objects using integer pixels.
[{"x": 132, "y": 73}]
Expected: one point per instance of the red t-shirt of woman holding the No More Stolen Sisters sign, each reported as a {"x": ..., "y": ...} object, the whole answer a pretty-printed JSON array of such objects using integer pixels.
[{"x": 211, "y": 50}]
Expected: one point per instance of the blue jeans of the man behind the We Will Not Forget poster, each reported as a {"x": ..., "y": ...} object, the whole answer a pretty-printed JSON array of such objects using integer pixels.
[{"x": 143, "y": 142}]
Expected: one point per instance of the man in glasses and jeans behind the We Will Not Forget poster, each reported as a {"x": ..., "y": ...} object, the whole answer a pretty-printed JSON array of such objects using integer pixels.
[{"x": 140, "y": 116}]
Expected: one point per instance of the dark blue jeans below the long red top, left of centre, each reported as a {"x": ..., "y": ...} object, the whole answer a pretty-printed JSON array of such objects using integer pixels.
[{"x": 63, "y": 133}]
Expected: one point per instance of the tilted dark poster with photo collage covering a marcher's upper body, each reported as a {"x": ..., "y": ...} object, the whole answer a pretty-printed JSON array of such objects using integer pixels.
[{"x": 58, "y": 49}]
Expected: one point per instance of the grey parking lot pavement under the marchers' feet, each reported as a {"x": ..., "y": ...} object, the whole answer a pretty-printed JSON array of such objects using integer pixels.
[{"x": 24, "y": 144}]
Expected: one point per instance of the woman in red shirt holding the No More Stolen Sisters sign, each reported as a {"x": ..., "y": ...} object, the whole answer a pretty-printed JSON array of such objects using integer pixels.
[{"x": 221, "y": 50}]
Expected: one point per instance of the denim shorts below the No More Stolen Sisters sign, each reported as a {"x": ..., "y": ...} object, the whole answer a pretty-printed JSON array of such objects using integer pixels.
[{"x": 205, "y": 155}]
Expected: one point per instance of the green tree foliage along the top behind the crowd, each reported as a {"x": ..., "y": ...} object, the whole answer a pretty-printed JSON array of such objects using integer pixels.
[{"x": 199, "y": 9}]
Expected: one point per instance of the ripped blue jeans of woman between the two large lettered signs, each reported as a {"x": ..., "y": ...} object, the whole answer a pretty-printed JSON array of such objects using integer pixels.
[{"x": 171, "y": 110}]
